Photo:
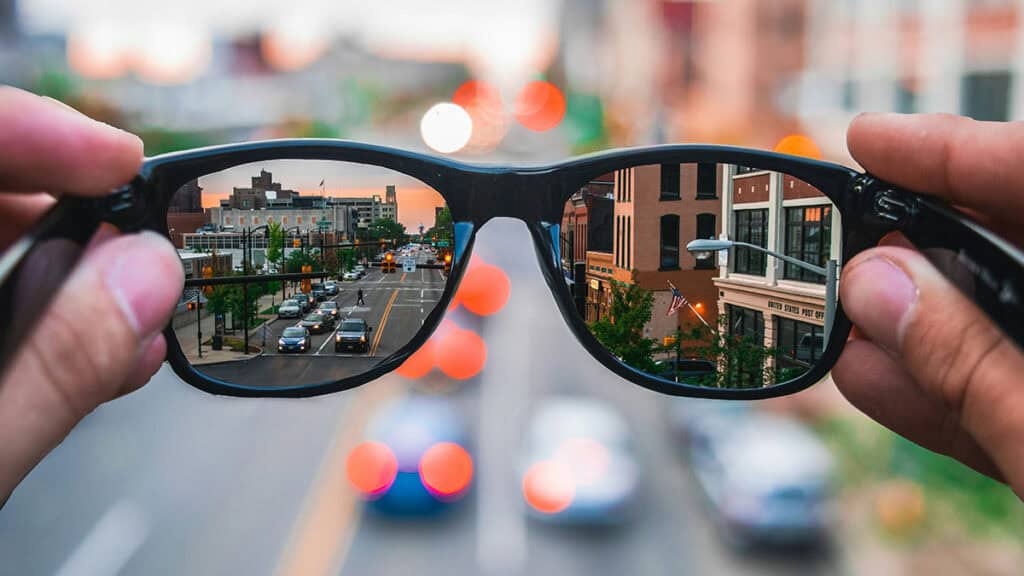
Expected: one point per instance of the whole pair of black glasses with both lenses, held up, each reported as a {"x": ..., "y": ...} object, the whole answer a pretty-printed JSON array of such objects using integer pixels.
[{"x": 695, "y": 271}]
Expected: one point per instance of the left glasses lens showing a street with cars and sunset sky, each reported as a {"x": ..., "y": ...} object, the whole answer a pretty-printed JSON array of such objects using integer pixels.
[{"x": 372, "y": 243}]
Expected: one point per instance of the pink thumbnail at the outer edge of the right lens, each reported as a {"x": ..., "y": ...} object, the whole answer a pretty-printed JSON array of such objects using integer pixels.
[{"x": 878, "y": 297}]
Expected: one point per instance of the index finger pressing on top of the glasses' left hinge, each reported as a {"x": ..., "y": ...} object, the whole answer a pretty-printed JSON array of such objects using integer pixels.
[{"x": 47, "y": 146}]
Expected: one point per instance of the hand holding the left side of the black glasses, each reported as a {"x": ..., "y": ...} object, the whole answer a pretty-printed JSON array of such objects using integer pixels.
[{"x": 102, "y": 336}]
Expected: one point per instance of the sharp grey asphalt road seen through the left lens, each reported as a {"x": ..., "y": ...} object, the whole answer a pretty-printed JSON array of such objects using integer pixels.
[{"x": 395, "y": 305}]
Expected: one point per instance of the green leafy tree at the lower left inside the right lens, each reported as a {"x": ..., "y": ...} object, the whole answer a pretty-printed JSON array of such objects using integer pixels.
[{"x": 622, "y": 331}]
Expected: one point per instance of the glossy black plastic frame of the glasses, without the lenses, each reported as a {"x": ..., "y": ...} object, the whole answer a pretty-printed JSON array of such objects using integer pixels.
[{"x": 869, "y": 208}]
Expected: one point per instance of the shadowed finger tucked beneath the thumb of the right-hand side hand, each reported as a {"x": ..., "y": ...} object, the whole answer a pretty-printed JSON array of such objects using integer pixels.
[{"x": 877, "y": 385}]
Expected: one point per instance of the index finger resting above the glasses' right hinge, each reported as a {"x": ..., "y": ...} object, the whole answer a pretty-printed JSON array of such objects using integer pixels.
[{"x": 973, "y": 164}]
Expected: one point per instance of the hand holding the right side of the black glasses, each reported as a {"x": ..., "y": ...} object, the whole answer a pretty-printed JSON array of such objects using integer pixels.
[{"x": 923, "y": 360}]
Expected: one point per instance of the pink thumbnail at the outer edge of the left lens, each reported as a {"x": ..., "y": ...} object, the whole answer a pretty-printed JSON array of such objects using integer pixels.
[{"x": 138, "y": 279}]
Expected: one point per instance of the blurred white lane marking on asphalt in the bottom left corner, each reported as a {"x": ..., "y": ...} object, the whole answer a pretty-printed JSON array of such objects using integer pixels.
[{"x": 110, "y": 545}]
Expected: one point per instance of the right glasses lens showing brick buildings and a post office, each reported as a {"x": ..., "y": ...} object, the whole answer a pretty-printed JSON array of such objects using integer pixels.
[{"x": 671, "y": 268}]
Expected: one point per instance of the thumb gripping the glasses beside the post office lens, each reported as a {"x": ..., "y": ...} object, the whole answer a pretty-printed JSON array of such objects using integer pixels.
[{"x": 958, "y": 357}]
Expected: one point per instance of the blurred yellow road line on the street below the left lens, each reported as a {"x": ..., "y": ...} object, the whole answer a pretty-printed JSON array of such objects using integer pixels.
[{"x": 323, "y": 534}]
